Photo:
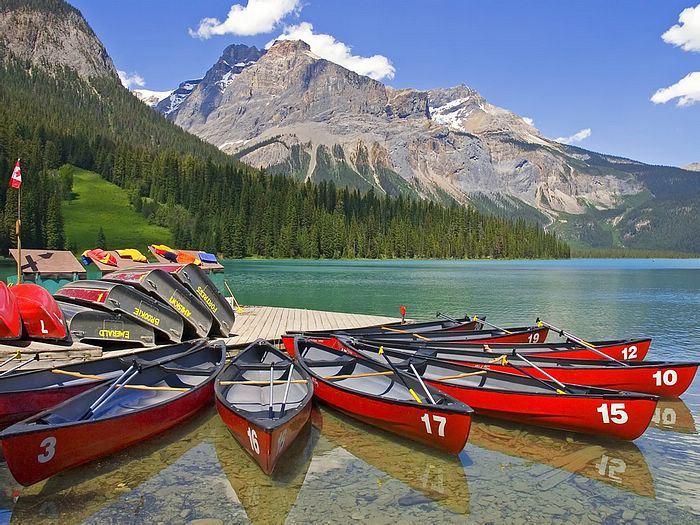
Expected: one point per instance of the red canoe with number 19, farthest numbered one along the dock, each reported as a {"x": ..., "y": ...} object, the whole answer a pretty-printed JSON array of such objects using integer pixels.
[{"x": 512, "y": 335}]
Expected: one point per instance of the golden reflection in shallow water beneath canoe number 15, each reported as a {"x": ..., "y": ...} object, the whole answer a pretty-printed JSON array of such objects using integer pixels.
[{"x": 619, "y": 463}]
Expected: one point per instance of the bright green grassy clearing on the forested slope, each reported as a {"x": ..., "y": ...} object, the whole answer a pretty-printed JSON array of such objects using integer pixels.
[{"x": 101, "y": 203}]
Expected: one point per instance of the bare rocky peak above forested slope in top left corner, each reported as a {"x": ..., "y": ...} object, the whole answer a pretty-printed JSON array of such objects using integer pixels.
[{"x": 51, "y": 38}]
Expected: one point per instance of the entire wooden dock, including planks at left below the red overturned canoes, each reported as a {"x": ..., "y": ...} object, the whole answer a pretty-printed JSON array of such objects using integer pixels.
[{"x": 253, "y": 322}]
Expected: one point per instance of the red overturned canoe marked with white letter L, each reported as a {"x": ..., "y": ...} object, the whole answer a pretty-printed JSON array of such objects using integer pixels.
[{"x": 41, "y": 315}]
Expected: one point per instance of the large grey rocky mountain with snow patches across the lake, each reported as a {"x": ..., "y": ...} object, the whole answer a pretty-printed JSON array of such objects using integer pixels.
[{"x": 291, "y": 112}]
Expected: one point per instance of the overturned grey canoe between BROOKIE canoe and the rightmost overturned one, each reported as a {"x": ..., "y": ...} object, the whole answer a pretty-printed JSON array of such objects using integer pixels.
[{"x": 164, "y": 287}]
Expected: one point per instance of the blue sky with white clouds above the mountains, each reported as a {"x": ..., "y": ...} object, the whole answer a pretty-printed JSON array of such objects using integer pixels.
[{"x": 619, "y": 77}]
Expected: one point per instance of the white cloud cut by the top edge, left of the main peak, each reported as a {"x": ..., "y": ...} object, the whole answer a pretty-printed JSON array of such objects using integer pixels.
[{"x": 258, "y": 16}]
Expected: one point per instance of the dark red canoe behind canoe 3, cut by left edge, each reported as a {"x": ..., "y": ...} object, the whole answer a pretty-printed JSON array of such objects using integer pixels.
[{"x": 27, "y": 393}]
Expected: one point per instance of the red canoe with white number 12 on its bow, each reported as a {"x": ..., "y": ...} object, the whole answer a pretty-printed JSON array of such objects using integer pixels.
[{"x": 634, "y": 349}]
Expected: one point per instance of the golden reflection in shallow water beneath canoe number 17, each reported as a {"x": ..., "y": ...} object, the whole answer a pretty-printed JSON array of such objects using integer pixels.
[{"x": 438, "y": 477}]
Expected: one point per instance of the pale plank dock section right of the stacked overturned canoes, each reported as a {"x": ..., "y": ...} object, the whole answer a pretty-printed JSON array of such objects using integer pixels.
[{"x": 269, "y": 322}]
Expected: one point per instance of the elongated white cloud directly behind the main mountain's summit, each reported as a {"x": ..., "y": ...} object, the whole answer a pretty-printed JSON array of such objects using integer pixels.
[{"x": 326, "y": 46}]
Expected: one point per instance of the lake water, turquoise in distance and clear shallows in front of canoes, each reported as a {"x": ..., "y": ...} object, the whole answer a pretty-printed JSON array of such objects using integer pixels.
[{"x": 342, "y": 471}]
